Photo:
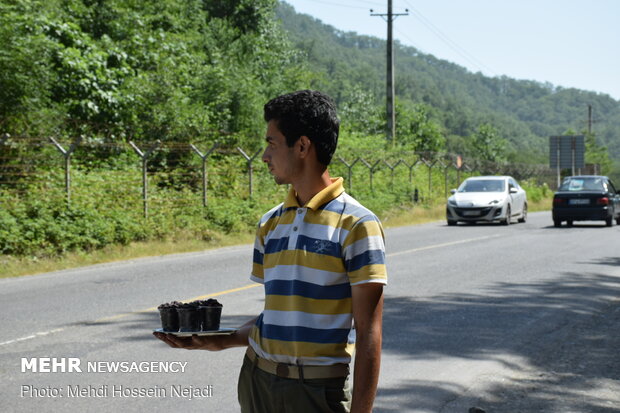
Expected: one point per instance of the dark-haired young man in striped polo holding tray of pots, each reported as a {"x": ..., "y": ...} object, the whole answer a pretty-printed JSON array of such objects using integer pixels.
[{"x": 321, "y": 258}]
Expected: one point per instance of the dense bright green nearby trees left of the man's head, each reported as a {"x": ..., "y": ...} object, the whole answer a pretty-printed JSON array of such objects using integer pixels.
[{"x": 142, "y": 70}]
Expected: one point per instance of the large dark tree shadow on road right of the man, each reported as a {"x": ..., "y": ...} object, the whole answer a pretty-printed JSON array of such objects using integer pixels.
[{"x": 559, "y": 339}]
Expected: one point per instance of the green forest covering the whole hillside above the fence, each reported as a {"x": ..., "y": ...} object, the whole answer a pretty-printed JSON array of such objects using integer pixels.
[{"x": 200, "y": 70}]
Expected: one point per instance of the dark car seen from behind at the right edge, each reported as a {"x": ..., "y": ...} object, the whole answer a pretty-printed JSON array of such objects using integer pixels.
[{"x": 586, "y": 198}]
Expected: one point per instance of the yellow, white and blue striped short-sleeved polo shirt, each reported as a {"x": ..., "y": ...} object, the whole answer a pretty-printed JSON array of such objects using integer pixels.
[{"x": 308, "y": 258}]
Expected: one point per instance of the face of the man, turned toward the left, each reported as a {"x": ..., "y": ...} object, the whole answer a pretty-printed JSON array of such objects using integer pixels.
[{"x": 280, "y": 158}]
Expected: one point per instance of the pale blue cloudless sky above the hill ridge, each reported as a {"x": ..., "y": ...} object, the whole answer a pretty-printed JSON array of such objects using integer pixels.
[{"x": 569, "y": 43}]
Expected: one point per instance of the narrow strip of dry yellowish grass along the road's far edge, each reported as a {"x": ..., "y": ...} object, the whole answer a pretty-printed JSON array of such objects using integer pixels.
[{"x": 14, "y": 267}]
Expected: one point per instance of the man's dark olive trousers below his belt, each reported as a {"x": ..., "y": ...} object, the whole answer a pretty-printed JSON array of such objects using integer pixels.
[{"x": 262, "y": 392}]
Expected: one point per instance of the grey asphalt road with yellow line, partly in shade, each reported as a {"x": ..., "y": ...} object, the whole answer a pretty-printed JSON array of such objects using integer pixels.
[{"x": 524, "y": 318}]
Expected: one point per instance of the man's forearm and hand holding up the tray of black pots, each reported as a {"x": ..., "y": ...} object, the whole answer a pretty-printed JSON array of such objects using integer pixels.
[{"x": 212, "y": 343}]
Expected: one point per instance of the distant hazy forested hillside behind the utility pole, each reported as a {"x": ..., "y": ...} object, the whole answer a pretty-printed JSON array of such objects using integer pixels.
[{"x": 524, "y": 112}]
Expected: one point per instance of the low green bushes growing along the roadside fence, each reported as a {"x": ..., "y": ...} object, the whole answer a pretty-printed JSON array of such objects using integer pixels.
[{"x": 106, "y": 206}]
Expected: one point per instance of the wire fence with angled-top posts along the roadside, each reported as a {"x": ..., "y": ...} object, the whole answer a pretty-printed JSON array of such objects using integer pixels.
[{"x": 210, "y": 169}]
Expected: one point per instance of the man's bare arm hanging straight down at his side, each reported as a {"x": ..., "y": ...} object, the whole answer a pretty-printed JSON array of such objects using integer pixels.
[{"x": 367, "y": 301}]
